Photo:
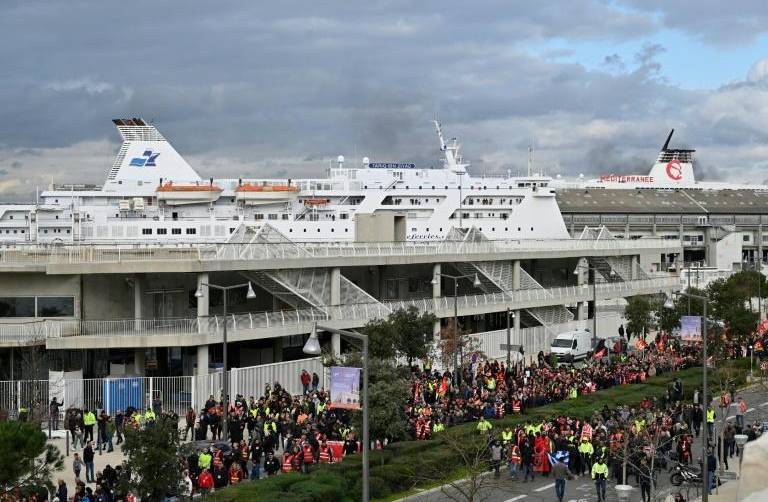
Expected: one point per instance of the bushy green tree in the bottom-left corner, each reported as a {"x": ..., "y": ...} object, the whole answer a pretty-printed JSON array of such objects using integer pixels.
[{"x": 26, "y": 460}]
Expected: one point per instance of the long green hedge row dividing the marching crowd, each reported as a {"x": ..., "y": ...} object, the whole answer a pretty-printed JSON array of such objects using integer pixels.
[{"x": 393, "y": 470}]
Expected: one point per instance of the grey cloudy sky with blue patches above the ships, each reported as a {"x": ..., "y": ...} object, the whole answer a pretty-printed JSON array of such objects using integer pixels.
[{"x": 277, "y": 88}]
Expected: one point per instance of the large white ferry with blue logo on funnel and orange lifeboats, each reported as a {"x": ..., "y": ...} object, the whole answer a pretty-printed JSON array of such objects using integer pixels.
[{"x": 153, "y": 196}]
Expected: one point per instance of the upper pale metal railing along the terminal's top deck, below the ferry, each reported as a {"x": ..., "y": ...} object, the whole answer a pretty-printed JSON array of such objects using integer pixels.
[{"x": 116, "y": 253}]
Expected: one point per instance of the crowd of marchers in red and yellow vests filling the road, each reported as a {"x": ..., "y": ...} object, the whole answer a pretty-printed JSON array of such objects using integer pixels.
[{"x": 279, "y": 432}]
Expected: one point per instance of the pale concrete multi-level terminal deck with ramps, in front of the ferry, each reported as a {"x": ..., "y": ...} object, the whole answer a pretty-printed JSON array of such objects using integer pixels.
[{"x": 120, "y": 297}]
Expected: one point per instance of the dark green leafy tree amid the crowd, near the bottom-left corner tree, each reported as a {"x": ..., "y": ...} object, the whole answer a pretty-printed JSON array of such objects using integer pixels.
[{"x": 152, "y": 458}]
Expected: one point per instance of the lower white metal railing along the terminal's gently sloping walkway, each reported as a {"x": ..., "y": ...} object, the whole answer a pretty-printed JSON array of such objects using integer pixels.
[{"x": 364, "y": 312}]
